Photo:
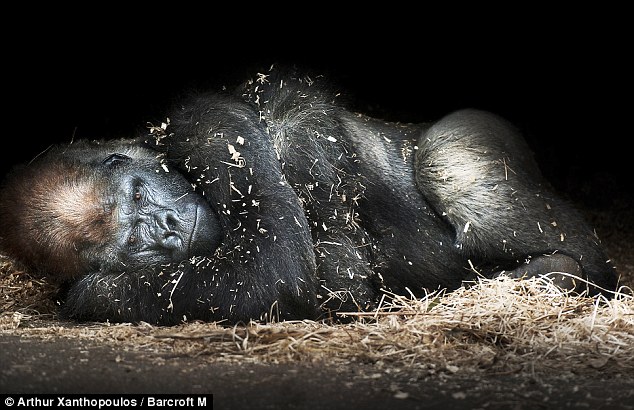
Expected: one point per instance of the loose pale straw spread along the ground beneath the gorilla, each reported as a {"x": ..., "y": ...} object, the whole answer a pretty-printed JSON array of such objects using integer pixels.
[{"x": 500, "y": 325}]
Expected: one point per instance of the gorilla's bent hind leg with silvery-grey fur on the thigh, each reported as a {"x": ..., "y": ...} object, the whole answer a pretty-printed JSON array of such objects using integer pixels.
[{"x": 477, "y": 171}]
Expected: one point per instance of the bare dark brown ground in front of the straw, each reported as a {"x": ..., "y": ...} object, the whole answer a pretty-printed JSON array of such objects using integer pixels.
[{"x": 62, "y": 366}]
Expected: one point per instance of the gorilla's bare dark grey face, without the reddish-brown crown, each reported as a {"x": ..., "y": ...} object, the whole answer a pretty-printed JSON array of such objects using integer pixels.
[{"x": 159, "y": 218}]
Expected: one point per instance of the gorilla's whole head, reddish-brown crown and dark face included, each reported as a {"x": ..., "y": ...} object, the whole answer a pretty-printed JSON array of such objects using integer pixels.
[{"x": 108, "y": 206}]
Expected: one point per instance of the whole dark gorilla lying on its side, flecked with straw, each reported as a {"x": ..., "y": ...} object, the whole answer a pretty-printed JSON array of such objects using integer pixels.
[{"x": 277, "y": 202}]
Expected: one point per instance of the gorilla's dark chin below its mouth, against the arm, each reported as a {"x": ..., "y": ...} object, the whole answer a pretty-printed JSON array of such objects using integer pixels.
[{"x": 205, "y": 235}]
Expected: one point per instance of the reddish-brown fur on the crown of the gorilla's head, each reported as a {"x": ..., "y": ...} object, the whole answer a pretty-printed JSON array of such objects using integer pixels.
[{"x": 55, "y": 217}]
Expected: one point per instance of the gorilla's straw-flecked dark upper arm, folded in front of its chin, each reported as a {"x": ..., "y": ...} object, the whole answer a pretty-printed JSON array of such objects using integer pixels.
[{"x": 266, "y": 253}]
